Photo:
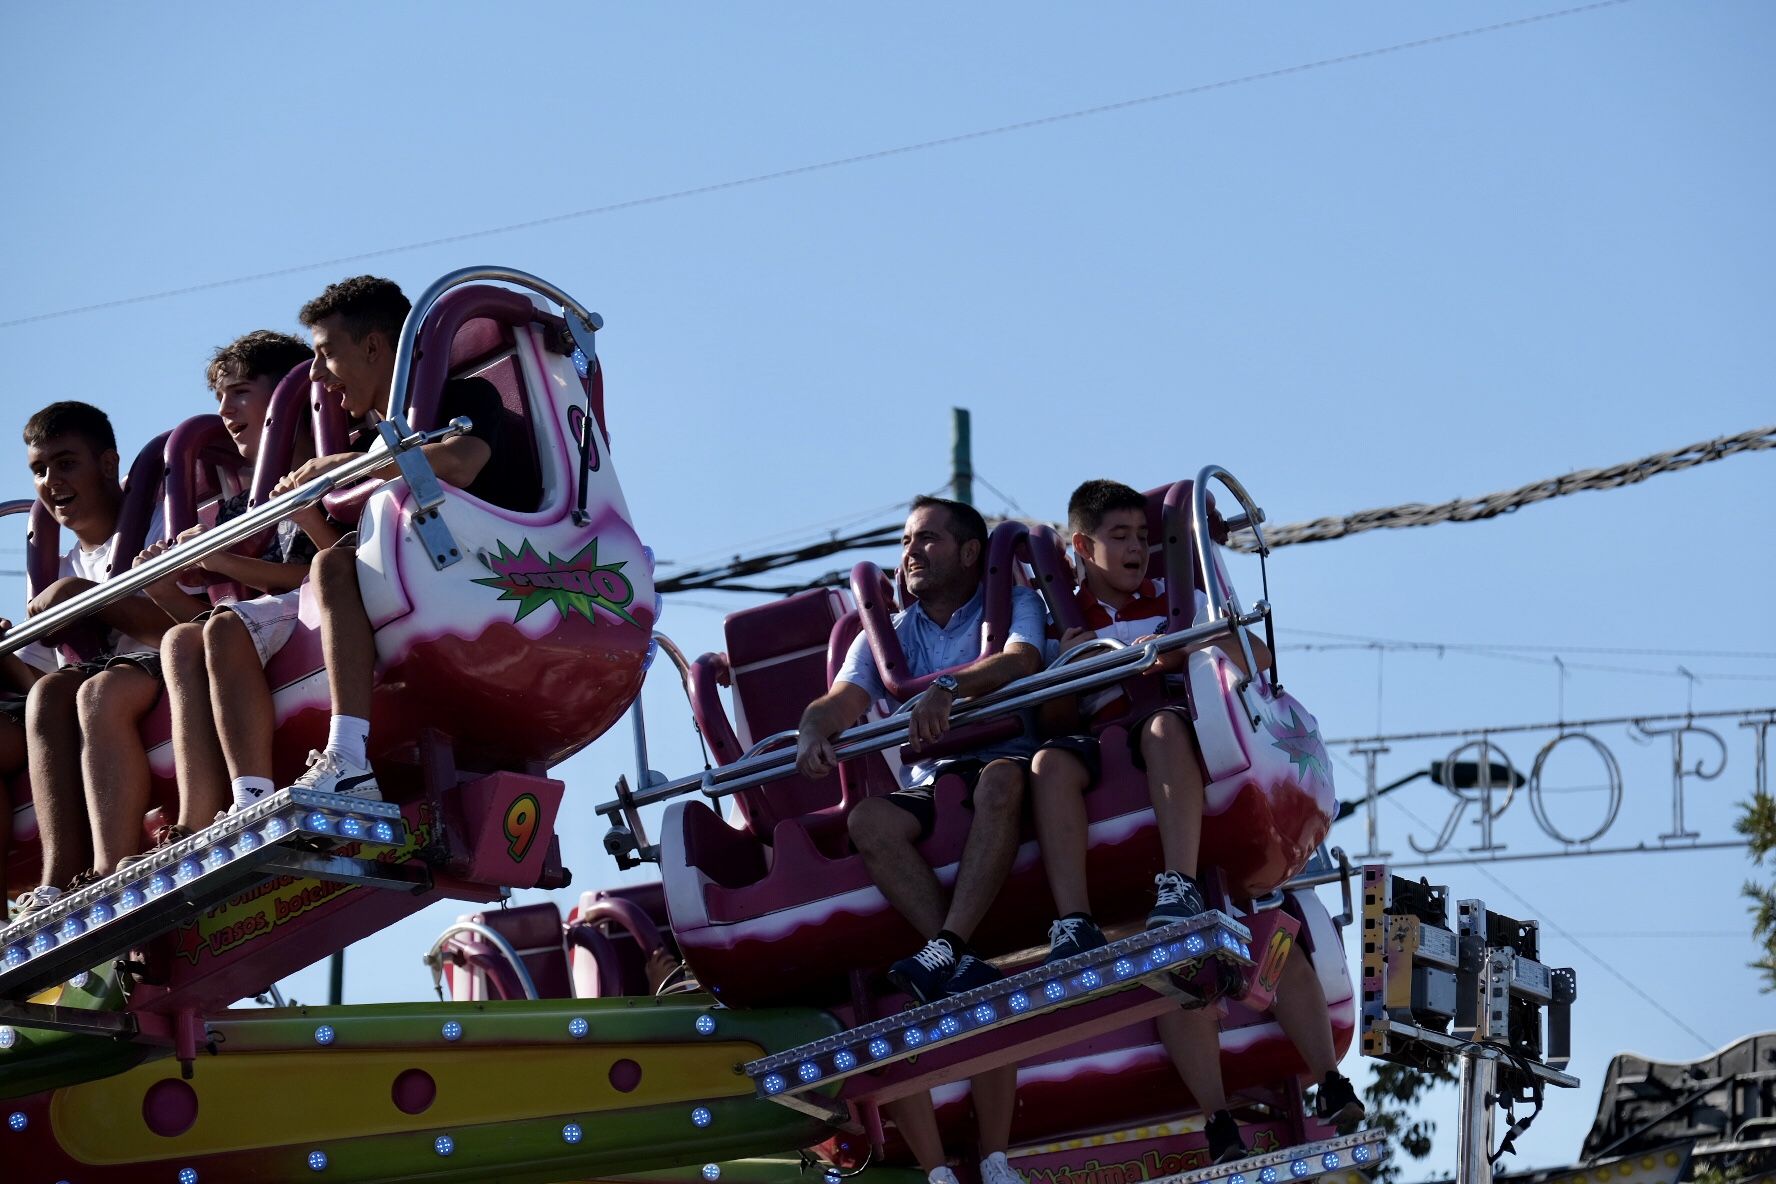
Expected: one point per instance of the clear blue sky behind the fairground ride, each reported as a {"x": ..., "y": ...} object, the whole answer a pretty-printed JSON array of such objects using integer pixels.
[{"x": 1409, "y": 278}]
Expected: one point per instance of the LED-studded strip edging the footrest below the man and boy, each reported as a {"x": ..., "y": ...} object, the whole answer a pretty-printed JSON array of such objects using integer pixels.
[{"x": 1180, "y": 949}]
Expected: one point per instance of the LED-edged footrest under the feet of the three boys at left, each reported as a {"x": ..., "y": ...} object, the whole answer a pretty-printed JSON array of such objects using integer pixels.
[{"x": 292, "y": 832}]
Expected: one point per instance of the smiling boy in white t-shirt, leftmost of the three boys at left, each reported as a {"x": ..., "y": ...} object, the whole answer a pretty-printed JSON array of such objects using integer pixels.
[{"x": 74, "y": 461}]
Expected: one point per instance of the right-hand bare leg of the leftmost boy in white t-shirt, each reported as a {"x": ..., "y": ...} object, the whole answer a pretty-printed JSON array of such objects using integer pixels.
[{"x": 115, "y": 762}]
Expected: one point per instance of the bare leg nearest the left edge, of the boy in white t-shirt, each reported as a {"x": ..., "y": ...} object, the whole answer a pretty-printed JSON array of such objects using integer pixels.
[{"x": 52, "y": 730}]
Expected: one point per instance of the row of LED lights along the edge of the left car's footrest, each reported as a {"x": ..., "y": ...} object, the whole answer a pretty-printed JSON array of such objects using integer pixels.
[{"x": 221, "y": 855}]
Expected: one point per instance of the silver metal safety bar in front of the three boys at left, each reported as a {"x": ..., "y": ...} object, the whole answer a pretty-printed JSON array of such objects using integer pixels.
[{"x": 228, "y": 535}]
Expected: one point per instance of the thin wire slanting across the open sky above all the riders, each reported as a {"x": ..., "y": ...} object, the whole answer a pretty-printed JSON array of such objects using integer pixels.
[{"x": 841, "y": 162}]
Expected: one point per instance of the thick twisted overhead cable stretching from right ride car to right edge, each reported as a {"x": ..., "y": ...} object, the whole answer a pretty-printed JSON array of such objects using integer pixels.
[{"x": 1495, "y": 505}]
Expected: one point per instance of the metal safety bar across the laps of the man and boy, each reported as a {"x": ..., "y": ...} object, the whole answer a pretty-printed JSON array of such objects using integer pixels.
[{"x": 882, "y": 734}]
